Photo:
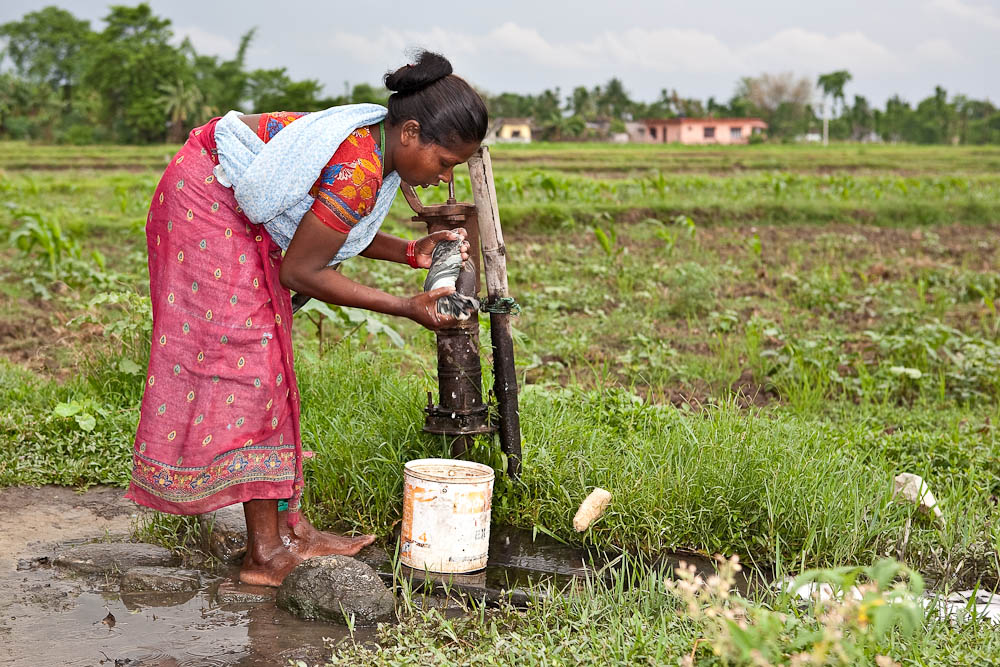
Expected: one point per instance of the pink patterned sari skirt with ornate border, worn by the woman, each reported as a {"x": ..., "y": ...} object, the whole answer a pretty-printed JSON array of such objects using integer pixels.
[{"x": 219, "y": 422}]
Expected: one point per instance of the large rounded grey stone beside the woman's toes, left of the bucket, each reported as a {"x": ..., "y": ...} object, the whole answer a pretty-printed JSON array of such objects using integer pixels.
[{"x": 335, "y": 588}]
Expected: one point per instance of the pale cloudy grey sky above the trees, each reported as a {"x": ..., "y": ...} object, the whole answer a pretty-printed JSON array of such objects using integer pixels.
[{"x": 701, "y": 49}]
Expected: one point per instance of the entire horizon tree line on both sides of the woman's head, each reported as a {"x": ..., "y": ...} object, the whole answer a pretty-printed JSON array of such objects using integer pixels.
[{"x": 63, "y": 81}]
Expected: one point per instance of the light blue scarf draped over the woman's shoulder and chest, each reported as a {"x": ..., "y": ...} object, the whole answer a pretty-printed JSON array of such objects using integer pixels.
[{"x": 272, "y": 180}]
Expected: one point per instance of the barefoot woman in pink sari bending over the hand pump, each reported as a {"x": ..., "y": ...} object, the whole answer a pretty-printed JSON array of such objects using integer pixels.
[{"x": 220, "y": 414}]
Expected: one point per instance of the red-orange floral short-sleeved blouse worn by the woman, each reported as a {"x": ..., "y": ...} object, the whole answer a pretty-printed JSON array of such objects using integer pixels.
[{"x": 347, "y": 187}]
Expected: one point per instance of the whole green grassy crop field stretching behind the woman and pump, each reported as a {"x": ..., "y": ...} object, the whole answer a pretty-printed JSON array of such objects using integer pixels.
[{"x": 744, "y": 346}]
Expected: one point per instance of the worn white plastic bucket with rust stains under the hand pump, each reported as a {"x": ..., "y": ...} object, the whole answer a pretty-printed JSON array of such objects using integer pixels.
[{"x": 446, "y": 515}]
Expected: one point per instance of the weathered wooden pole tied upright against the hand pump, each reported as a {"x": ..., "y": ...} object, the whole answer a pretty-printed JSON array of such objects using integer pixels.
[{"x": 495, "y": 268}]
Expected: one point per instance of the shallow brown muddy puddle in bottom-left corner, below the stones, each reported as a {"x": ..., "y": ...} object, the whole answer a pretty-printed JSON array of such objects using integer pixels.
[{"x": 162, "y": 630}]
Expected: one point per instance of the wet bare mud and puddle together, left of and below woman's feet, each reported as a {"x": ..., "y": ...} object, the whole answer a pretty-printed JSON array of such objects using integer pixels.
[{"x": 52, "y": 617}]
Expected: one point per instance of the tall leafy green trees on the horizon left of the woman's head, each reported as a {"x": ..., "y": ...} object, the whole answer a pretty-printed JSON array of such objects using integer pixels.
[{"x": 128, "y": 84}]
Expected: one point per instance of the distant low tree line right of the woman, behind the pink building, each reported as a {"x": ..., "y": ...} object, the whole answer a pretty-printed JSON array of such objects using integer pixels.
[{"x": 785, "y": 101}]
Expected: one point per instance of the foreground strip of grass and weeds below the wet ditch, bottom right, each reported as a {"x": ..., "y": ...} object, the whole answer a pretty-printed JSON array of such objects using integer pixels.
[{"x": 637, "y": 619}]
